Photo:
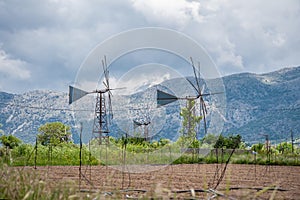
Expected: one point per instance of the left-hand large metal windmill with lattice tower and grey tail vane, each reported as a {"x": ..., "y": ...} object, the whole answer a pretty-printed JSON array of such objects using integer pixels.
[{"x": 101, "y": 119}]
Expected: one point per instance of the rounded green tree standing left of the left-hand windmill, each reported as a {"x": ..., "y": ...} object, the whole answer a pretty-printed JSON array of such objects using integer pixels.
[{"x": 54, "y": 133}]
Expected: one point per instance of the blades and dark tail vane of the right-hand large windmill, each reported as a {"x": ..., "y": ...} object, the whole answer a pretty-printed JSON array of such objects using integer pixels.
[{"x": 164, "y": 98}]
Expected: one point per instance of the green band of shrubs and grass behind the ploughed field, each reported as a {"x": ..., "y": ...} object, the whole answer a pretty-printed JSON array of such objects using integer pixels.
[{"x": 54, "y": 147}]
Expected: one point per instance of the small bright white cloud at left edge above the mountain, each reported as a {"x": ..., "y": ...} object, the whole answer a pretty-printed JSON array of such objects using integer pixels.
[{"x": 10, "y": 68}]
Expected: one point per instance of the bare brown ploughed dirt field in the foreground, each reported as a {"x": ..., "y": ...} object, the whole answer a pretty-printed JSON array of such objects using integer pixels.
[{"x": 185, "y": 181}]
